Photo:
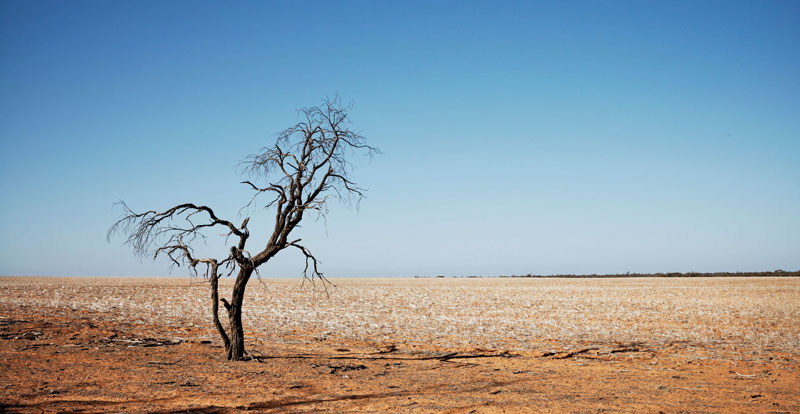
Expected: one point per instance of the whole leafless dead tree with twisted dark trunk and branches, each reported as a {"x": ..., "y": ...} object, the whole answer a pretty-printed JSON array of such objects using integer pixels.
[{"x": 305, "y": 168}]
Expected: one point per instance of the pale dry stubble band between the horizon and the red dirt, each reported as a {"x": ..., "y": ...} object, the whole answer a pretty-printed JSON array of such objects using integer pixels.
[{"x": 753, "y": 315}]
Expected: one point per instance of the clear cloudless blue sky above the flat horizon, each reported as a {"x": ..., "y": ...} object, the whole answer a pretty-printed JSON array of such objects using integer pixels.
[{"x": 518, "y": 137}]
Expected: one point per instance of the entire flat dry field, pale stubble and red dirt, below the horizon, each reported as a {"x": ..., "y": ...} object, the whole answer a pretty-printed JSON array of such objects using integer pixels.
[{"x": 404, "y": 345}]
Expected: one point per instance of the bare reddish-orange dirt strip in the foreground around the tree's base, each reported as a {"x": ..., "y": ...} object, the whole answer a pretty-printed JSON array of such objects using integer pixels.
[{"x": 60, "y": 360}]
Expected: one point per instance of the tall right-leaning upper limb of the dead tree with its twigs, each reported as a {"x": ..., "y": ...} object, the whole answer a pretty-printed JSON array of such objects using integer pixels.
[{"x": 305, "y": 168}]
